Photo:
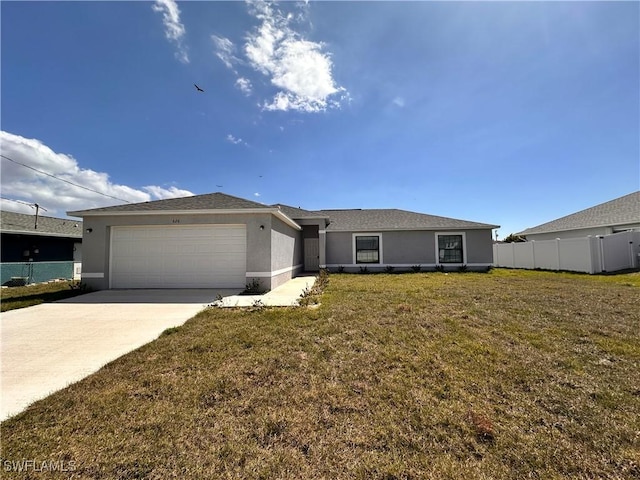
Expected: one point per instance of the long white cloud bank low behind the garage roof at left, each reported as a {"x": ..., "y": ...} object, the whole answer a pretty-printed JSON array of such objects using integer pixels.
[{"x": 57, "y": 196}]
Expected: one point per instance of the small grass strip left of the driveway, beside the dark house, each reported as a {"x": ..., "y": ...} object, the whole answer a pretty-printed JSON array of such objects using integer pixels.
[{"x": 12, "y": 298}]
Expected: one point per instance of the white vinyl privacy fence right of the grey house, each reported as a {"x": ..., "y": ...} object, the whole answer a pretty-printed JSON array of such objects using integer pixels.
[{"x": 608, "y": 253}]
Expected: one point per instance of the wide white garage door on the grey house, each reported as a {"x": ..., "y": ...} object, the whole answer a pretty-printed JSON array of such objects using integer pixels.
[{"x": 194, "y": 256}]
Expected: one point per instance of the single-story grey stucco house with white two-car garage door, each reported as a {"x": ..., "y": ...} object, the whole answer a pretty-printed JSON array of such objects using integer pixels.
[{"x": 220, "y": 241}]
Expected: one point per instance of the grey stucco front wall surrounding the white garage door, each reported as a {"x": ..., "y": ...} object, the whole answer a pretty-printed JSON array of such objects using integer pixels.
[{"x": 96, "y": 244}]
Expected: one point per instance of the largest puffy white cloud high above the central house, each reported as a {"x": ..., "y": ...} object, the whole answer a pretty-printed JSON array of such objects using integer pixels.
[{"x": 299, "y": 68}]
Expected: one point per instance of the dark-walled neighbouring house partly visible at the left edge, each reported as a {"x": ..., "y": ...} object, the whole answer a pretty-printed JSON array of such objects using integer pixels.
[{"x": 39, "y": 249}]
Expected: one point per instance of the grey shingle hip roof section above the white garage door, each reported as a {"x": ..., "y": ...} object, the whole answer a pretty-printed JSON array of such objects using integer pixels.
[{"x": 209, "y": 201}]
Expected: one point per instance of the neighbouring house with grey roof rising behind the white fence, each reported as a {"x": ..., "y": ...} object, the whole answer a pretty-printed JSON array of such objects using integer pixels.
[{"x": 619, "y": 215}]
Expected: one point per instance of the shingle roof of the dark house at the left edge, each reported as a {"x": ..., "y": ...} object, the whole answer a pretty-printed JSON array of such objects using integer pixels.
[{"x": 24, "y": 224}]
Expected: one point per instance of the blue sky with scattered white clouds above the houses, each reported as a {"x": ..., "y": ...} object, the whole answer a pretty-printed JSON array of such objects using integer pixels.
[{"x": 508, "y": 113}]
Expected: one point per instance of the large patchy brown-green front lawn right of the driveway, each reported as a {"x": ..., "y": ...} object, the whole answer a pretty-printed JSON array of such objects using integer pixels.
[{"x": 504, "y": 375}]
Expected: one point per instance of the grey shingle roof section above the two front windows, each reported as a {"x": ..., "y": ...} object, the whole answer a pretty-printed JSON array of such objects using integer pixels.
[{"x": 393, "y": 219}]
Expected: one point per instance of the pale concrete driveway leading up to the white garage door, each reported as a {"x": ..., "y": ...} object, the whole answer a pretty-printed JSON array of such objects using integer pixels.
[{"x": 49, "y": 346}]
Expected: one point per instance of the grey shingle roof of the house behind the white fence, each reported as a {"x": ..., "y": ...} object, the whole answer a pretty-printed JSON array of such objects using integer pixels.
[{"x": 621, "y": 211}]
